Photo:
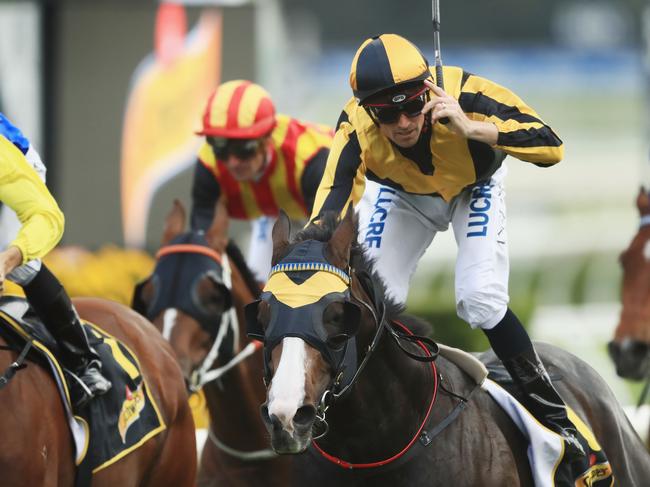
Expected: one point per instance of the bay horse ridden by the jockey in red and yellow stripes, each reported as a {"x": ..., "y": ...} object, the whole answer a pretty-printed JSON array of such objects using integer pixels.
[{"x": 195, "y": 297}]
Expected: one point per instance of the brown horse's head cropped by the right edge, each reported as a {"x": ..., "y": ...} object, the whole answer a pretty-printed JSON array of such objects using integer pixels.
[{"x": 630, "y": 348}]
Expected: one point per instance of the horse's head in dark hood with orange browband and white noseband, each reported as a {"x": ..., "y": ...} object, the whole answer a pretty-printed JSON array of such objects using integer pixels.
[{"x": 189, "y": 295}]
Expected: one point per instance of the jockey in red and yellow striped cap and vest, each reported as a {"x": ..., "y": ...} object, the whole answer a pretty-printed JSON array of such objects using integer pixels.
[{"x": 257, "y": 162}]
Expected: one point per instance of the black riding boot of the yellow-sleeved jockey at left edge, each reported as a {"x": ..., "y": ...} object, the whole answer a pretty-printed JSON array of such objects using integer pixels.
[{"x": 52, "y": 304}]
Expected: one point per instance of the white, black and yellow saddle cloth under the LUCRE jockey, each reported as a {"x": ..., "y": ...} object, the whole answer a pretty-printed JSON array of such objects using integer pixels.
[{"x": 546, "y": 448}]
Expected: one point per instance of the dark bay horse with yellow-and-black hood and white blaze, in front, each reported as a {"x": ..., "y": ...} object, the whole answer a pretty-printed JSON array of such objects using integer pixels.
[{"x": 343, "y": 386}]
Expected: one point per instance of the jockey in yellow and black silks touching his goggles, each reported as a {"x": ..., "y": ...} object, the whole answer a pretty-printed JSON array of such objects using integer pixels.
[{"x": 410, "y": 176}]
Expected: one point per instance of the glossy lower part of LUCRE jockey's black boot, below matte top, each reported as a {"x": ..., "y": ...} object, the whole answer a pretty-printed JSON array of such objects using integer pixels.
[{"x": 541, "y": 398}]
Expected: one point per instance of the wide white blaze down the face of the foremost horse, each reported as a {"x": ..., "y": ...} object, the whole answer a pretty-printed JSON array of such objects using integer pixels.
[{"x": 287, "y": 391}]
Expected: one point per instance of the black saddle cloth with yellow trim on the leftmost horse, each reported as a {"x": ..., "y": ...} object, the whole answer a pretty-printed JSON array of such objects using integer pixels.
[{"x": 111, "y": 425}]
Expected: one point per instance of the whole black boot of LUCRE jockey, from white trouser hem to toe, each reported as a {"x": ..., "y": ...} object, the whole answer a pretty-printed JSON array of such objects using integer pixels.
[{"x": 512, "y": 345}]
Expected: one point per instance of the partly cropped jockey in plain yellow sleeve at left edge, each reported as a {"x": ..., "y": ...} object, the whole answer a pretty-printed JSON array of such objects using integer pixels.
[{"x": 42, "y": 222}]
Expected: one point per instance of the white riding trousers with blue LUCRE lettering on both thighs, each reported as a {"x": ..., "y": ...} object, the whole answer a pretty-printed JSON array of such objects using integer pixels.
[{"x": 396, "y": 228}]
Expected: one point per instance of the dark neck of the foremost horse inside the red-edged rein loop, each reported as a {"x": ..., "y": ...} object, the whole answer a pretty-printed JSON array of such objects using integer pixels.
[{"x": 388, "y": 403}]
